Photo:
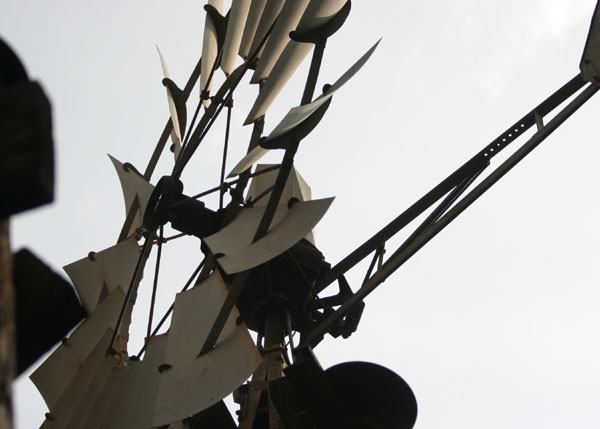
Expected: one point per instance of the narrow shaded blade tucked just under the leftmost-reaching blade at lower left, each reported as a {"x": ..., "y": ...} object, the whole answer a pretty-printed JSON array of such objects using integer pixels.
[{"x": 71, "y": 397}]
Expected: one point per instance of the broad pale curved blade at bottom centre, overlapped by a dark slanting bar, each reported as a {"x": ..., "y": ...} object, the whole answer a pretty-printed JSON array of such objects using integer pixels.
[{"x": 188, "y": 383}]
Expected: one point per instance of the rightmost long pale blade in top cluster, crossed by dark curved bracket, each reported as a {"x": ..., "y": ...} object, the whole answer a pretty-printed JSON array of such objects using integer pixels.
[{"x": 317, "y": 13}]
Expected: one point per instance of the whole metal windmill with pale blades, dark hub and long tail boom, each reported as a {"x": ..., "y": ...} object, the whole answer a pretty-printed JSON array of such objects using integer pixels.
[{"x": 263, "y": 296}]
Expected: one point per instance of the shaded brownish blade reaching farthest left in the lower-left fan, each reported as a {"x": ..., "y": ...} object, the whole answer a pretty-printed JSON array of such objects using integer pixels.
[{"x": 53, "y": 376}]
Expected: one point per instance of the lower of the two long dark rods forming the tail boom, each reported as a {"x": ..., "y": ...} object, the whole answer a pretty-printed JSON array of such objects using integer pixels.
[{"x": 394, "y": 263}]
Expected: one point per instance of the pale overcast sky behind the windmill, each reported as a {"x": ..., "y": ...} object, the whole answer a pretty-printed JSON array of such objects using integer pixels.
[{"x": 494, "y": 322}]
